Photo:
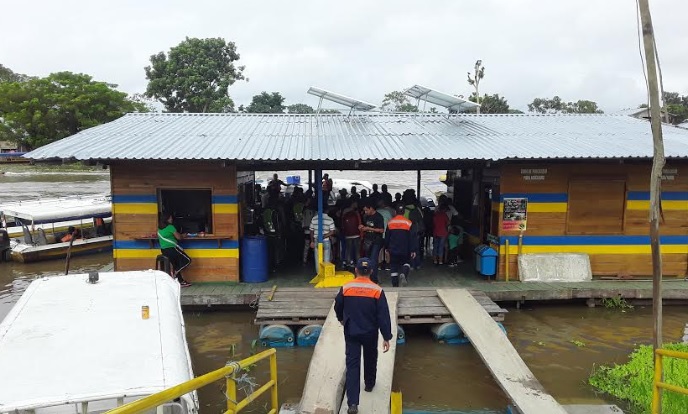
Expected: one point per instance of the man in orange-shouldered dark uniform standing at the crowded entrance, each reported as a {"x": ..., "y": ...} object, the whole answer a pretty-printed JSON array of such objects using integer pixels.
[{"x": 401, "y": 243}]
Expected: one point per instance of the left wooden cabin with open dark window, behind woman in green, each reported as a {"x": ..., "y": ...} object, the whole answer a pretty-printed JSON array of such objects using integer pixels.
[{"x": 204, "y": 197}]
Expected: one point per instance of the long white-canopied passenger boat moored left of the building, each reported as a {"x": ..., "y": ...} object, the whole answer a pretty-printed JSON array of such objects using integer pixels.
[{"x": 36, "y": 228}]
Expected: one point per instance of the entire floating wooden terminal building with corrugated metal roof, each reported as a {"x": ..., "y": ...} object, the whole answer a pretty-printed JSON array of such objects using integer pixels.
[{"x": 557, "y": 183}]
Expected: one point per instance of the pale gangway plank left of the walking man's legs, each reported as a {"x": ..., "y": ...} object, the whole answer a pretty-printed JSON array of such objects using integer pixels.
[{"x": 322, "y": 393}]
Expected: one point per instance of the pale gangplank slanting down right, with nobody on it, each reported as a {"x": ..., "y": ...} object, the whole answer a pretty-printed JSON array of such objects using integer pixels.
[{"x": 500, "y": 357}]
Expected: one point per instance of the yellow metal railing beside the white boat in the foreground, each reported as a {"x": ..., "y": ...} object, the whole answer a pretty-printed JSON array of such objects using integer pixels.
[{"x": 228, "y": 373}]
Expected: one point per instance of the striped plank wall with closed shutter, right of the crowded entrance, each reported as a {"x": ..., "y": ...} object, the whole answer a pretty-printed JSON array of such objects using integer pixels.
[{"x": 624, "y": 252}]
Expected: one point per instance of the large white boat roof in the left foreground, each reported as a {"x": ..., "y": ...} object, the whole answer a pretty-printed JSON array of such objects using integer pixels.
[{"x": 72, "y": 346}]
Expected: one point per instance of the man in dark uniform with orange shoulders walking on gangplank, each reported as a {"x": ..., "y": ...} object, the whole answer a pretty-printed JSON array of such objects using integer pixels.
[{"x": 362, "y": 309}]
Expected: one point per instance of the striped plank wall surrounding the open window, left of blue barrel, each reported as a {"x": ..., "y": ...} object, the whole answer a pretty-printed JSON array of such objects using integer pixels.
[{"x": 135, "y": 210}]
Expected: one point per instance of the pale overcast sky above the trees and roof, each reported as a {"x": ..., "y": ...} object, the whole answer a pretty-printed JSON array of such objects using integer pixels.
[{"x": 577, "y": 49}]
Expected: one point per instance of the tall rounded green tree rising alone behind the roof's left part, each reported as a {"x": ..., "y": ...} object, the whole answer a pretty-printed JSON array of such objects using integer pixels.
[{"x": 195, "y": 76}]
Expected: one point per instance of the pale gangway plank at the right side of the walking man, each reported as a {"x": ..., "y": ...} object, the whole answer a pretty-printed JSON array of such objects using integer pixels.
[{"x": 378, "y": 401}]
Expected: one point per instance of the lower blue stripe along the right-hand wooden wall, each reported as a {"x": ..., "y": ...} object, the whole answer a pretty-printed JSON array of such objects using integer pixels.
[{"x": 591, "y": 240}]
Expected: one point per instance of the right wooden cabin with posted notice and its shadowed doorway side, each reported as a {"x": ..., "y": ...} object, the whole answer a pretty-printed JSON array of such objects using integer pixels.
[{"x": 600, "y": 209}]
